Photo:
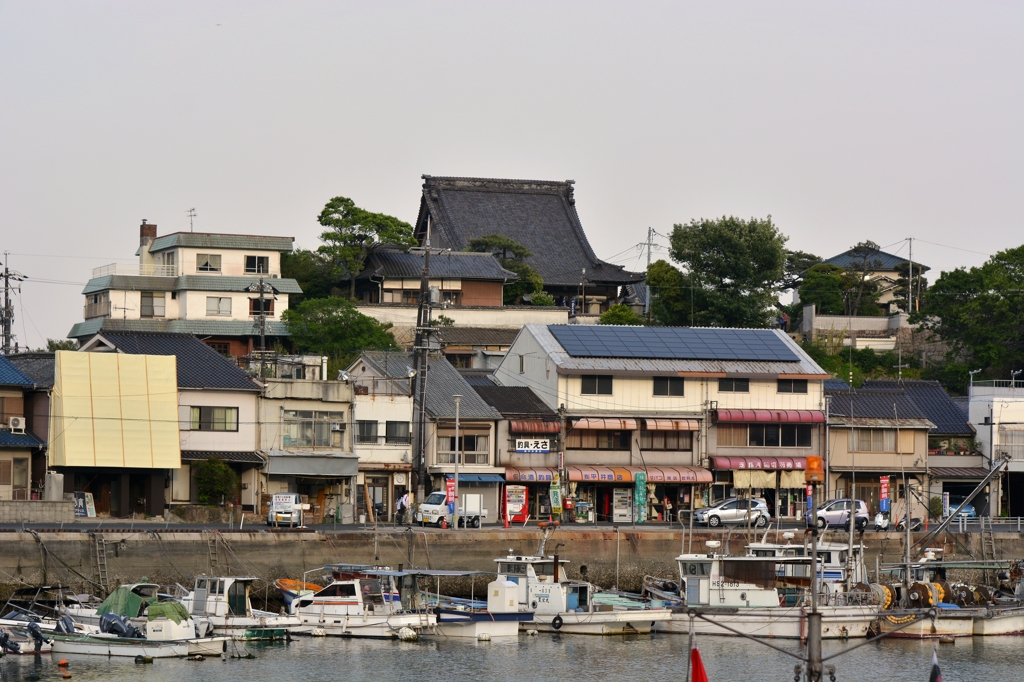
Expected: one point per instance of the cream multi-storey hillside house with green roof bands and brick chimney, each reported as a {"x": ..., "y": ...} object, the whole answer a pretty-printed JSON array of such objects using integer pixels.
[{"x": 225, "y": 288}]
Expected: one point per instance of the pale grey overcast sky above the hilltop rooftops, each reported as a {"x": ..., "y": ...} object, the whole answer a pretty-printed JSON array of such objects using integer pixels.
[{"x": 844, "y": 122}]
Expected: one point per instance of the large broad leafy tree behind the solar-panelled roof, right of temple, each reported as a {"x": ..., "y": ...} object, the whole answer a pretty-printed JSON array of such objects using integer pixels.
[{"x": 737, "y": 269}]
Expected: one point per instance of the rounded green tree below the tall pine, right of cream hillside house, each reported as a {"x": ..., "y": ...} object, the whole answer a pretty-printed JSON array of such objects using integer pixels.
[{"x": 335, "y": 328}]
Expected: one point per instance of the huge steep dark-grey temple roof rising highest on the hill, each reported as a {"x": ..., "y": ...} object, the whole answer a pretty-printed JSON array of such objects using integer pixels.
[{"x": 539, "y": 215}]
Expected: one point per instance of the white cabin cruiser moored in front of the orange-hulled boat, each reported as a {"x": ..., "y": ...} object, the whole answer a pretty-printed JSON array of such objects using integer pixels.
[{"x": 354, "y": 606}]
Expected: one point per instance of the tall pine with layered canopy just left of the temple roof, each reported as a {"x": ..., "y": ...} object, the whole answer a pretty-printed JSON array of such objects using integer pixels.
[{"x": 354, "y": 233}]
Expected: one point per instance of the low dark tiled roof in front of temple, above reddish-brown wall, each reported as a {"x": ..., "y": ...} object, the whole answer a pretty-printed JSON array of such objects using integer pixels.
[{"x": 452, "y": 265}]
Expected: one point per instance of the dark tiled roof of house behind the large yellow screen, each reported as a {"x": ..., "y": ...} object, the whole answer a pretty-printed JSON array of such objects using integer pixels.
[{"x": 199, "y": 365}]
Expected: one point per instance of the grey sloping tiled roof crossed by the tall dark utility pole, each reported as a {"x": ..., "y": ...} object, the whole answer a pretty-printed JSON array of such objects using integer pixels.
[{"x": 444, "y": 381}]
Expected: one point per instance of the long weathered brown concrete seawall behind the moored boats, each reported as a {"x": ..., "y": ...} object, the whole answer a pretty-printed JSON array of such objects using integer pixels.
[{"x": 71, "y": 559}]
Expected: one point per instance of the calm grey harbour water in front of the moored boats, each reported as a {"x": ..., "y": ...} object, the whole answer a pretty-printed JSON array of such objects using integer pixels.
[{"x": 661, "y": 658}]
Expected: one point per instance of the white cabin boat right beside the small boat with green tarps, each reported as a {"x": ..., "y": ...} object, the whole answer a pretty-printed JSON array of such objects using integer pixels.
[{"x": 226, "y": 604}]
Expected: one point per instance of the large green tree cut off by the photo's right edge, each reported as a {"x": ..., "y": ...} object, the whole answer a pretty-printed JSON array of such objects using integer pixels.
[{"x": 977, "y": 312}]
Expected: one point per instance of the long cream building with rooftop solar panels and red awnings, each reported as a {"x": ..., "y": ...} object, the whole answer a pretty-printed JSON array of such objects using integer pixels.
[{"x": 703, "y": 413}]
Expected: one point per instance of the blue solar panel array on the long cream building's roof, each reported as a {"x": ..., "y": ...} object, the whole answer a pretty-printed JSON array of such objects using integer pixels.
[{"x": 673, "y": 344}]
